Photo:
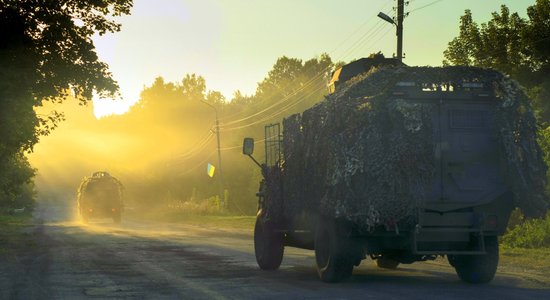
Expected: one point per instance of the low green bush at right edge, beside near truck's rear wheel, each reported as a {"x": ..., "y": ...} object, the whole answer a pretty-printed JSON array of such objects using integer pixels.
[{"x": 533, "y": 233}]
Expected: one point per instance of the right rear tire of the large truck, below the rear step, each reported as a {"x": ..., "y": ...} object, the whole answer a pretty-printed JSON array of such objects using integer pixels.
[{"x": 477, "y": 268}]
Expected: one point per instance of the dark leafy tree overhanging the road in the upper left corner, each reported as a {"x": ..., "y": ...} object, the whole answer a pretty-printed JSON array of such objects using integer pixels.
[{"x": 47, "y": 54}]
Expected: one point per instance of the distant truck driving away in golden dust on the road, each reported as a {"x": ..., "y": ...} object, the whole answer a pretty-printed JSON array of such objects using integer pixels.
[{"x": 100, "y": 196}]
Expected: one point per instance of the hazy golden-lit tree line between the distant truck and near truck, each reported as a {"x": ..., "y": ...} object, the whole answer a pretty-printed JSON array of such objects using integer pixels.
[{"x": 165, "y": 141}]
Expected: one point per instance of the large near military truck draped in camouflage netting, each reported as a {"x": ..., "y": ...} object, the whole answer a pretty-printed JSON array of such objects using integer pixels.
[{"x": 400, "y": 164}]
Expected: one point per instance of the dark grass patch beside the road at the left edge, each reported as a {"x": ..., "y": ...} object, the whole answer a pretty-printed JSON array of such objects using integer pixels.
[{"x": 13, "y": 232}]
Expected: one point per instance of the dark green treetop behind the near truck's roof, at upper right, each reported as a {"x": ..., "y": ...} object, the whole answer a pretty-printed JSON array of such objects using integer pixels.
[{"x": 510, "y": 44}]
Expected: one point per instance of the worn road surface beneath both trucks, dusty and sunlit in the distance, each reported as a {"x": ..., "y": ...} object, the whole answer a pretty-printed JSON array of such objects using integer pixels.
[{"x": 136, "y": 260}]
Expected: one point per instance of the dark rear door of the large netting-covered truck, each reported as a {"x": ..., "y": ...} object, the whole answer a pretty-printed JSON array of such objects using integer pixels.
[{"x": 468, "y": 152}]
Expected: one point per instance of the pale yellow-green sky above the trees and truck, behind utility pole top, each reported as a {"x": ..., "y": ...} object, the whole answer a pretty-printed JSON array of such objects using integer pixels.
[{"x": 234, "y": 43}]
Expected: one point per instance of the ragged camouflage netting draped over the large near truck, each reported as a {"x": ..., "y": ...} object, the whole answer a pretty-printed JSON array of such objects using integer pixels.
[{"x": 368, "y": 157}]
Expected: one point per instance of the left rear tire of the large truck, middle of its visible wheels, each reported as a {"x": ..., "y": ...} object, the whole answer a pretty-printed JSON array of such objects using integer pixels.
[{"x": 332, "y": 251}]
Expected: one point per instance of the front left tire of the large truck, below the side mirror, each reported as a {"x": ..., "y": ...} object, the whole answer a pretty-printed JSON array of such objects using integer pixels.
[{"x": 268, "y": 245}]
